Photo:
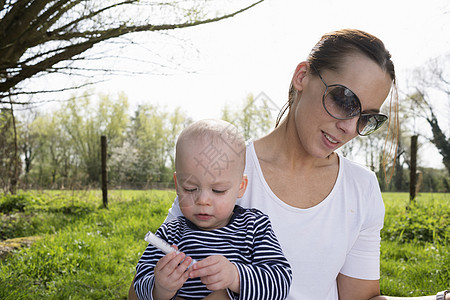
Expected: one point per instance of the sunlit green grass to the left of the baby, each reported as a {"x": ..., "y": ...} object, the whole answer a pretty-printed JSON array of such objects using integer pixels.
[{"x": 88, "y": 252}]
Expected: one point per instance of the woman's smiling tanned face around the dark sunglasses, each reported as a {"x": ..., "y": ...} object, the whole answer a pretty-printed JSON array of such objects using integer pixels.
[{"x": 319, "y": 133}]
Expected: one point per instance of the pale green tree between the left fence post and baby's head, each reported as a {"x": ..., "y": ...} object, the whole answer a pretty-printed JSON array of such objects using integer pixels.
[{"x": 147, "y": 155}]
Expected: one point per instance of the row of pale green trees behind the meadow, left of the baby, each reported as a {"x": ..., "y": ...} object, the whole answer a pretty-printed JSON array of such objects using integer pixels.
[{"x": 62, "y": 148}]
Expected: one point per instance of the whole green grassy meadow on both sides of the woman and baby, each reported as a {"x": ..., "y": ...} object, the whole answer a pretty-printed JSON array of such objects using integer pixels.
[{"x": 84, "y": 251}]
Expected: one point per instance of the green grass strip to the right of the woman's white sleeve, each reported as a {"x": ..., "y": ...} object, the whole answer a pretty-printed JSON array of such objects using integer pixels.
[{"x": 414, "y": 250}]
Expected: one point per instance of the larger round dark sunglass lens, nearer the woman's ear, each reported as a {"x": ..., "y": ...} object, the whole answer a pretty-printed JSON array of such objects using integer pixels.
[{"x": 341, "y": 102}]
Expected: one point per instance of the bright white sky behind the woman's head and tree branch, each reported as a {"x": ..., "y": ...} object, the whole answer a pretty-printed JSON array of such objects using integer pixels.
[{"x": 258, "y": 50}]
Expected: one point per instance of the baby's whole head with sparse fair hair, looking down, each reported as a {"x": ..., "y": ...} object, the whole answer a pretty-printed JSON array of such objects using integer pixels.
[{"x": 209, "y": 162}]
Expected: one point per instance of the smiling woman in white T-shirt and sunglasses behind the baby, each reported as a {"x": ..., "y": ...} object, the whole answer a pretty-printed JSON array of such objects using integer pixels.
[{"x": 326, "y": 211}]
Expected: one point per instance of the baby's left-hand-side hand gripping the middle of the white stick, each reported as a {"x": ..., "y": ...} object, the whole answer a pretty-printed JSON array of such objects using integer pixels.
[{"x": 170, "y": 274}]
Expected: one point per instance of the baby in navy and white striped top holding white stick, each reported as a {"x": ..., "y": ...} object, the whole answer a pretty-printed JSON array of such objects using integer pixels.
[{"x": 235, "y": 248}]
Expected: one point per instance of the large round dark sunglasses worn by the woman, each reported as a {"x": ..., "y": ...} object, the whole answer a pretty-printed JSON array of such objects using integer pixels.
[{"x": 342, "y": 104}]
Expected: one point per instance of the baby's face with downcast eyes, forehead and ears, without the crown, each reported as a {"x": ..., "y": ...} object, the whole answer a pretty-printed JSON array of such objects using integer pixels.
[{"x": 208, "y": 180}]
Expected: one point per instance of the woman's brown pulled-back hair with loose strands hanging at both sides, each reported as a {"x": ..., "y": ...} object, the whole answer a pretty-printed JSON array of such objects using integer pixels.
[{"x": 330, "y": 53}]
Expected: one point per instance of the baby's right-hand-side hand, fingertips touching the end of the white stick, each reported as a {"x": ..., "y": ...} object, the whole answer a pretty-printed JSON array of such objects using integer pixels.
[{"x": 217, "y": 273}]
